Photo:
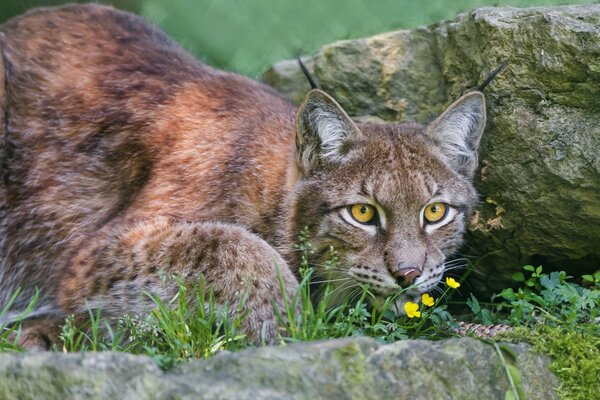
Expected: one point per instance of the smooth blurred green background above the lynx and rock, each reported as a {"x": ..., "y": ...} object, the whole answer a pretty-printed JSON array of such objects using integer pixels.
[{"x": 247, "y": 36}]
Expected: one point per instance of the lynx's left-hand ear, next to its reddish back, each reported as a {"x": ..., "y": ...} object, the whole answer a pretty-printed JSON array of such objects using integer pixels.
[{"x": 323, "y": 131}]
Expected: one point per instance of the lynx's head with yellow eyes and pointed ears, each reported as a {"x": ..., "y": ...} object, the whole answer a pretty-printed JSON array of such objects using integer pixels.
[{"x": 393, "y": 200}]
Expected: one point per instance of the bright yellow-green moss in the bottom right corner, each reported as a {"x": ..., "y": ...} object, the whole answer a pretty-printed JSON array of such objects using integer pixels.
[{"x": 575, "y": 358}]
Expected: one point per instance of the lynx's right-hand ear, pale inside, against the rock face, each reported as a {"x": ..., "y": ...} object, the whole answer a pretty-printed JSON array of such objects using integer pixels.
[{"x": 458, "y": 130}]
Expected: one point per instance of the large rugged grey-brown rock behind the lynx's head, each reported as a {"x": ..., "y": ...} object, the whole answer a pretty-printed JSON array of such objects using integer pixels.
[{"x": 540, "y": 156}]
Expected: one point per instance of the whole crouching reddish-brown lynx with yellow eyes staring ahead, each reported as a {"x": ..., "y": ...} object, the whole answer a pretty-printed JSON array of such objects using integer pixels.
[{"x": 124, "y": 158}]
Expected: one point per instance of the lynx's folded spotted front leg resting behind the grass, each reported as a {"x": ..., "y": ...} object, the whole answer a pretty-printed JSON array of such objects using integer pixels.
[{"x": 115, "y": 270}]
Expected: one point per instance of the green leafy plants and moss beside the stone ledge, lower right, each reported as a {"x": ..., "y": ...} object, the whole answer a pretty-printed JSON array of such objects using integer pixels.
[{"x": 560, "y": 319}]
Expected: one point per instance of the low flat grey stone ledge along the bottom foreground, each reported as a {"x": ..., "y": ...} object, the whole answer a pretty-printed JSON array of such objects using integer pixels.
[{"x": 338, "y": 369}]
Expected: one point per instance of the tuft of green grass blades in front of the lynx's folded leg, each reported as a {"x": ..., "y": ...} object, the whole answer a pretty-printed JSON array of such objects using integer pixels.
[{"x": 190, "y": 325}]
